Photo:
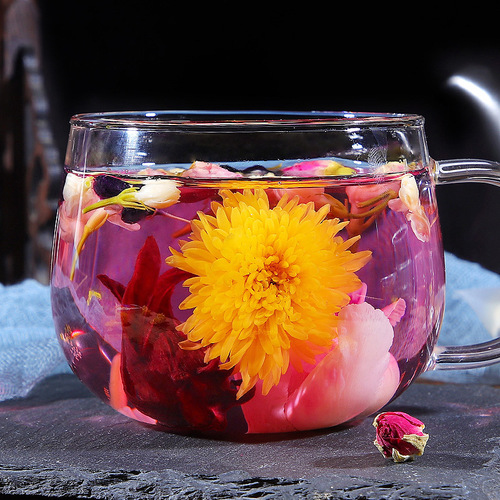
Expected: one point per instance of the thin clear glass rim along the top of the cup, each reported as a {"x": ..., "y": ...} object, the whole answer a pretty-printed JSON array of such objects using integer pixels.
[{"x": 237, "y": 119}]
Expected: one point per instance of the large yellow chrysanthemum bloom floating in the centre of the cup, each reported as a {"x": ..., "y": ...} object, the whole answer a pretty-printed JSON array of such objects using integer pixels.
[{"x": 267, "y": 284}]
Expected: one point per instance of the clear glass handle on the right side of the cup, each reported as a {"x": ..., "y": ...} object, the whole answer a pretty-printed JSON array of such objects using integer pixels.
[{"x": 485, "y": 353}]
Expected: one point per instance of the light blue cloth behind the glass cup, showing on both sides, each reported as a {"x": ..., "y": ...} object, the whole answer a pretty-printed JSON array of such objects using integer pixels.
[{"x": 30, "y": 351}]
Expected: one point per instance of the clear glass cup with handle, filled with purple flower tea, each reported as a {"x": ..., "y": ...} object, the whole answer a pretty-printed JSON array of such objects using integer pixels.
[{"x": 253, "y": 272}]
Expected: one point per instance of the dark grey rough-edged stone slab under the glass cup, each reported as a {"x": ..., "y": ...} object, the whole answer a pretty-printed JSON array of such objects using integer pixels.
[{"x": 61, "y": 441}]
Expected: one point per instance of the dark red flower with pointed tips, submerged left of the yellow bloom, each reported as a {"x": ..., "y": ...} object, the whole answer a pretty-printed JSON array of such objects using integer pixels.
[{"x": 173, "y": 386}]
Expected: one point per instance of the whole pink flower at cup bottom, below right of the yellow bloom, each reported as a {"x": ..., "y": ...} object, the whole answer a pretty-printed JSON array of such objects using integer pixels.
[{"x": 355, "y": 378}]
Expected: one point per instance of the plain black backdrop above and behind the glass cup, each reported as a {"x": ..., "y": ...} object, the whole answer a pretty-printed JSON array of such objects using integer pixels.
[{"x": 108, "y": 55}]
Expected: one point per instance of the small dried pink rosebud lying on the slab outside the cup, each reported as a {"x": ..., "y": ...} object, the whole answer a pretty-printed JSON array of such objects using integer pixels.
[{"x": 399, "y": 436}]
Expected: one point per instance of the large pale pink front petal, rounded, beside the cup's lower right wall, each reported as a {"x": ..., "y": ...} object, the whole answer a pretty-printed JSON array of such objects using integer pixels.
[{"x": 347, "y": 381}]
